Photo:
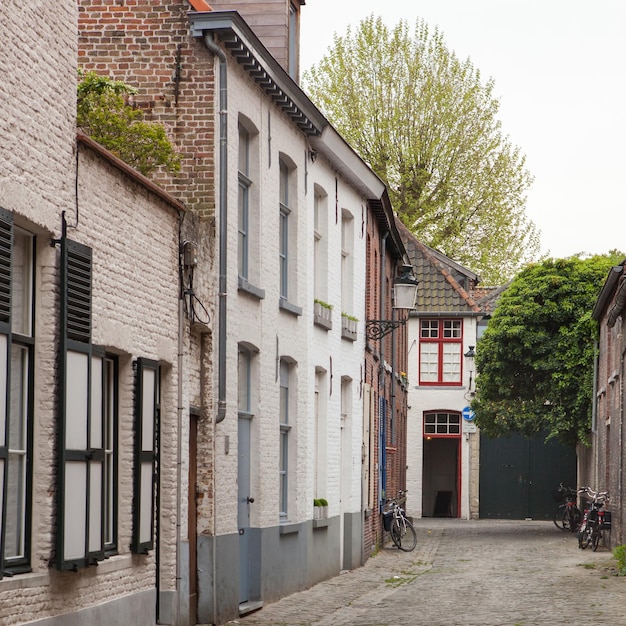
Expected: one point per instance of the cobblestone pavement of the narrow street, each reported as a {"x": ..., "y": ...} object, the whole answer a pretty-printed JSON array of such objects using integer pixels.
[{"x": 466, "y": 573}]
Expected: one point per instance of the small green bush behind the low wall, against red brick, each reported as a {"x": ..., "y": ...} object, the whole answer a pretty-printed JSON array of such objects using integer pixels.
[{"x": 104, "y": 111}]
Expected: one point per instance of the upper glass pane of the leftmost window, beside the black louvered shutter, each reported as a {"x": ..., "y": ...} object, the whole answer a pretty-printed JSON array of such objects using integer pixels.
[{"x": 22, "y": 283}]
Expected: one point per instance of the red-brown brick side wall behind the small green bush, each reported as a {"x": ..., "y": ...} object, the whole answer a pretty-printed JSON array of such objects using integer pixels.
[{"x": 147, "y": 45}]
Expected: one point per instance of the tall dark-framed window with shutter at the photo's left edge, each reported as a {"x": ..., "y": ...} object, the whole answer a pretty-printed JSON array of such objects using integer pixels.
[{"x": 16, "y": 394}]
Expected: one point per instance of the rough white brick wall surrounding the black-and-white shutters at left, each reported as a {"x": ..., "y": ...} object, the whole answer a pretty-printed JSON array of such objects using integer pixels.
[{"x": 135, "y": 246}]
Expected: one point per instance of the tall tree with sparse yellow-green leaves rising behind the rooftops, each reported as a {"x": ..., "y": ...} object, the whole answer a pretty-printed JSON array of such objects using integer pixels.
[{"x": 426, "y": 124}]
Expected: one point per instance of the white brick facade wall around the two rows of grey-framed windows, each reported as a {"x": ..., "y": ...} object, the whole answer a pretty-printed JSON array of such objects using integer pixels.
[{"x": 275, "y": 333}]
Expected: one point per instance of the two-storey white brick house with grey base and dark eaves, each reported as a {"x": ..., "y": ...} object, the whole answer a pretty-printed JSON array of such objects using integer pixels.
[{"x": 293, "y": 319}]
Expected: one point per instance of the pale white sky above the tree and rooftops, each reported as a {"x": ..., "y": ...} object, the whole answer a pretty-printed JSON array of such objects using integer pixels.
[{"x": 559, "y": 68}]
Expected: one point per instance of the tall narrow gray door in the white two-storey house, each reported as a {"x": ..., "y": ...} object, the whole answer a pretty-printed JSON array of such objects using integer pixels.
[{"x": 243, "y": 508}]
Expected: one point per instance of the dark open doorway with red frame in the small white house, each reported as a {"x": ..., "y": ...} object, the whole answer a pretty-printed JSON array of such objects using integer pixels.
[{"x": 441, "y": 477}]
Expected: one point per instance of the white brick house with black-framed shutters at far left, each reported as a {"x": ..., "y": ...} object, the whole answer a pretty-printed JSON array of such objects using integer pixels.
[{"x": 89, "y": 337}]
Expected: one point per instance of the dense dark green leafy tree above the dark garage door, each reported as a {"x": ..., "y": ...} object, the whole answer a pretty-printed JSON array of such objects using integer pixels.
[{"x": 535, "y": 360}]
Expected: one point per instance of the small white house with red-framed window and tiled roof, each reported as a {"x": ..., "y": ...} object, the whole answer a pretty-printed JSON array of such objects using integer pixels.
[{"x": 442, "y": 445}]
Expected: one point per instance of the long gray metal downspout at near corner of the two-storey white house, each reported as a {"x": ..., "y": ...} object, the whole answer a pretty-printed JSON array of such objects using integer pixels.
[{"x": 223, "y": 231}]
